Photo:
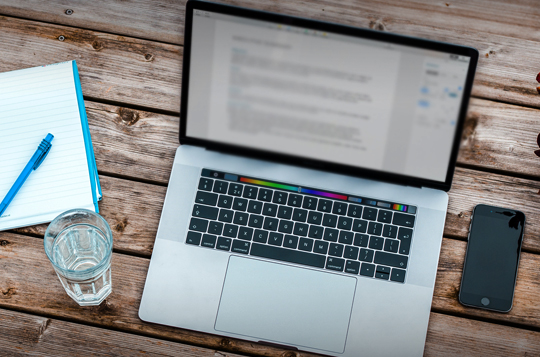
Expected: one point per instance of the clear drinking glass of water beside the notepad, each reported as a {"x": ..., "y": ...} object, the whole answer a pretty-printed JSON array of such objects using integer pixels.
[{"x": 79, "y": 245}]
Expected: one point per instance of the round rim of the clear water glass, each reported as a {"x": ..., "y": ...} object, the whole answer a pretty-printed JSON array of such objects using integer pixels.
[{"x": 109, "y": 241}]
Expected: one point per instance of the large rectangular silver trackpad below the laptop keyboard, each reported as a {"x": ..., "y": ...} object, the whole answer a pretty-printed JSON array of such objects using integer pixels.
[{"x": 287, "y": 305}]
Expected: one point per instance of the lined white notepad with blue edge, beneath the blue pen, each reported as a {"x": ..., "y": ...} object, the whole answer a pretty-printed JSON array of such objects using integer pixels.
[{"x": 34, "y": 102}]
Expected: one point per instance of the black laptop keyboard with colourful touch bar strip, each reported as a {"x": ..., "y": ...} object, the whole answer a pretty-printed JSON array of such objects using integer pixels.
[{"x": 320, "y": 229}]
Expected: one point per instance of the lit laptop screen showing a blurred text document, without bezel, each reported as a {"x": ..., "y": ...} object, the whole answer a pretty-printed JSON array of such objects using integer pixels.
[{"x": 322, "y": 95}]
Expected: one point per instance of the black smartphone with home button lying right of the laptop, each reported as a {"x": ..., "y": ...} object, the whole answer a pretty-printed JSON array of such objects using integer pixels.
[{"x": 492, "y": 258}]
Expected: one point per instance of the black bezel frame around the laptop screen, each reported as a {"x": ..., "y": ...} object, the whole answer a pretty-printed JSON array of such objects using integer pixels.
[{"x": 340, "y": 29}]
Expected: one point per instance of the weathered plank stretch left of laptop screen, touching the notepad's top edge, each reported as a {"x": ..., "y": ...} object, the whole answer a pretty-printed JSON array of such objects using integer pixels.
[{"x": 111, "y": 68}]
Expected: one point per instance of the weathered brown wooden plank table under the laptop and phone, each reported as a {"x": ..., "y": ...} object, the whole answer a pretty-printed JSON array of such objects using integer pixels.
[{"x": 129, "y": 55}]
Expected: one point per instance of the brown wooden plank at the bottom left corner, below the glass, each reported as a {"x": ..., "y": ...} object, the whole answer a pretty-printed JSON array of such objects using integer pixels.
[{"x": 25, "y": 334}]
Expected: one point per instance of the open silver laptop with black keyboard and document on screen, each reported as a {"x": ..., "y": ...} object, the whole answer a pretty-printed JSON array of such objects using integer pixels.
[{"x": 306, "y": 204}]
